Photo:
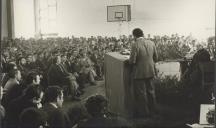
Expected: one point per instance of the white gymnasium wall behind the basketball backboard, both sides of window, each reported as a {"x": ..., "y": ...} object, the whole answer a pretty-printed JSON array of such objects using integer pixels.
[{"x": 88, "y": 17}]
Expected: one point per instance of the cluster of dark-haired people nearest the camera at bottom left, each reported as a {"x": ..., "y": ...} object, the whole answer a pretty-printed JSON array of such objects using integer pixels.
[{"x": 38, "y": 108}]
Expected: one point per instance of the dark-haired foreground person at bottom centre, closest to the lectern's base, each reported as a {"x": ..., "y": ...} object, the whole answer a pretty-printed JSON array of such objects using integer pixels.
[{"x": 97, "y": 108}]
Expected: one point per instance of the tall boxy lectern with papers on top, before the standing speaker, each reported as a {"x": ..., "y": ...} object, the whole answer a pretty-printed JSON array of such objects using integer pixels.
[{"x": 117, "y": 84}]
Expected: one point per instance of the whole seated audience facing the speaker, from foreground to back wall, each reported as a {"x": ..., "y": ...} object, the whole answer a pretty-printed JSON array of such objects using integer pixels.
[{"x": 47, "y": 69}]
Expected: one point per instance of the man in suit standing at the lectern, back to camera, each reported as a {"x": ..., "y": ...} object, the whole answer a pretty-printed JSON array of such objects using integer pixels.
[{"x": 142, "y": 58}]
